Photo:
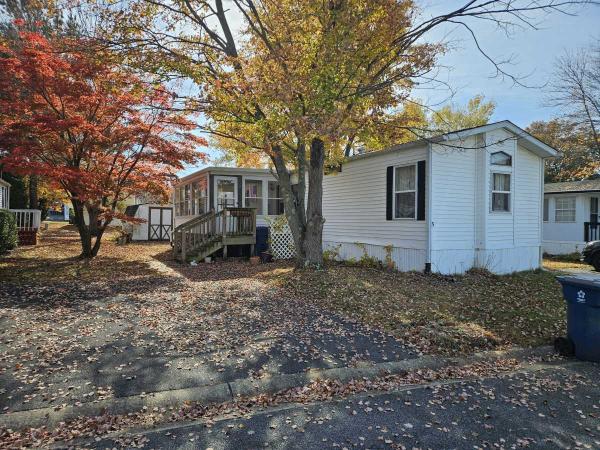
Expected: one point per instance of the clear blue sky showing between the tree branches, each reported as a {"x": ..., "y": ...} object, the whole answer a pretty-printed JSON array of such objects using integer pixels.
[{"x": 532, "y": 52}]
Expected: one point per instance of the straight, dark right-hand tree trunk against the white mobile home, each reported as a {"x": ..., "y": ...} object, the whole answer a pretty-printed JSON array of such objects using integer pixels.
[{"x": 313, "y": 236}]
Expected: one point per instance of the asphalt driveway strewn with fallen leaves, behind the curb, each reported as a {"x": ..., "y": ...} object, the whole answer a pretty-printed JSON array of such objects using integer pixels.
[{"x": 70, "y": 343}]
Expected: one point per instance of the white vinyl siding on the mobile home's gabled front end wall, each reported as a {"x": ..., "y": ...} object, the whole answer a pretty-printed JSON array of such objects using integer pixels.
[{"x": 465, "y": 231}]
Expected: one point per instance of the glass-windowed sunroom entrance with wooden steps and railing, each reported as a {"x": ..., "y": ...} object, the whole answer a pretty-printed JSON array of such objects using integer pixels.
[{"x": 224, "y": 209}]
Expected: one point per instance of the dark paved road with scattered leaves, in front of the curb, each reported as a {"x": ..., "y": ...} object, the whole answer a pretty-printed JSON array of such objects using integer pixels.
[{"x": 558, "y": 407}]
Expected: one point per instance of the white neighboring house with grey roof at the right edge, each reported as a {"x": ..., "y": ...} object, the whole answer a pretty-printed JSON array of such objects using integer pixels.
[{"x": 570, "y": 215}]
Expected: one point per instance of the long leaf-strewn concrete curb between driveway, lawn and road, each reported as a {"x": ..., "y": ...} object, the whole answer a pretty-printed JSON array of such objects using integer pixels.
[{"x": 224, "y": 392}]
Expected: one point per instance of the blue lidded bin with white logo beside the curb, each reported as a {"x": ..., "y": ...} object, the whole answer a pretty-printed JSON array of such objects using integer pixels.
[{"x": 583, "y": 315}]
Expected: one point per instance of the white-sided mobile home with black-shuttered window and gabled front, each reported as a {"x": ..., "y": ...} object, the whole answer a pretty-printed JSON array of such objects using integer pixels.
[{"x": 468, "y": 199}]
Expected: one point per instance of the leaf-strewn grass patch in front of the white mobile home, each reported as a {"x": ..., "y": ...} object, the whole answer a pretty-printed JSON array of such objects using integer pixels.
[{"x": 440, "y": 314}]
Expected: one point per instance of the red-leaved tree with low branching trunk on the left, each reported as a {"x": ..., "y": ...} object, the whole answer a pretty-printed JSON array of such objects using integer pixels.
[{"x": 81, "y": 120}]
